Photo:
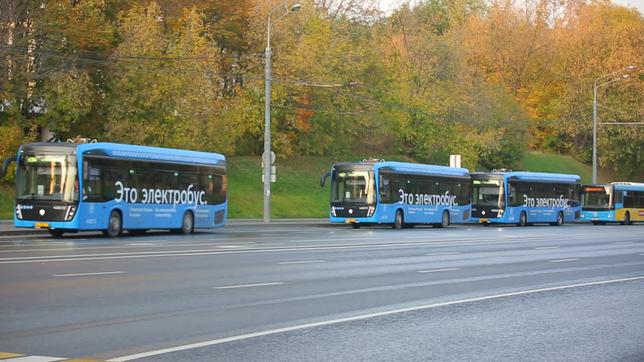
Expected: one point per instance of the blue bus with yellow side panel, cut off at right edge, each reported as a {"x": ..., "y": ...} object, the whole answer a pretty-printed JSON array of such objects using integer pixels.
[{"x": 621, "y": 202}]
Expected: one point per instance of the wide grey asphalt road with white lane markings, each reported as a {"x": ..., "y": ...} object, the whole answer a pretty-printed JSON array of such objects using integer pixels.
[{"x": 320, "y": 293}]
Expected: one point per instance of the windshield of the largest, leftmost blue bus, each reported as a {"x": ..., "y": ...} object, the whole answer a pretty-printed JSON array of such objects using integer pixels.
[{"x": 47, "y": 177}]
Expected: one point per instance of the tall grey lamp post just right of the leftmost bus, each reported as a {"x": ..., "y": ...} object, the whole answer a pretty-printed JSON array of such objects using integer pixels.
[{"x": 266, "y": 156}]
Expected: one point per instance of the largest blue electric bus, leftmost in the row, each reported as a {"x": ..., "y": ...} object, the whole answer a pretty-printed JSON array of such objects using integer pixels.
[{"x": 67, "y": 187}]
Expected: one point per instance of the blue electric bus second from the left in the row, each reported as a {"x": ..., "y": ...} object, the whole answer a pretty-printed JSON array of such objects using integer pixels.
[{"x": 397, "y": 193}]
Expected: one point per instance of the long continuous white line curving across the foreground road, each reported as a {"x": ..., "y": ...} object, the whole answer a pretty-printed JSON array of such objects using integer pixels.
[{"x": 359, "y": 318}]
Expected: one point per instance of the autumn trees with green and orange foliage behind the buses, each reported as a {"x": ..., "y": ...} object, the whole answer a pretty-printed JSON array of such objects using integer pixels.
[{"x": 488, "y": 80}]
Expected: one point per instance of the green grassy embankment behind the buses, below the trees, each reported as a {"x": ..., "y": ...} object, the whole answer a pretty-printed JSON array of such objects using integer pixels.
[{"x": 297, "y": 193}]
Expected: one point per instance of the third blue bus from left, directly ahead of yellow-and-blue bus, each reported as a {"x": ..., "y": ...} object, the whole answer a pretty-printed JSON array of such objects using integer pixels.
[{"x": 524, "y": 198}]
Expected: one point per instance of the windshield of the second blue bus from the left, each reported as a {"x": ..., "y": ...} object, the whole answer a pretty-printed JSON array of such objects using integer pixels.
[{"x": 352, "y": 187}]
